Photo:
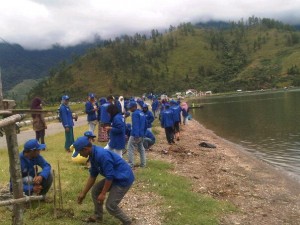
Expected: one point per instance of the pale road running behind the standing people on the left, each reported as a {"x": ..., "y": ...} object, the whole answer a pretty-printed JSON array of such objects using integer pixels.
[{"x": 52, "y": 128}]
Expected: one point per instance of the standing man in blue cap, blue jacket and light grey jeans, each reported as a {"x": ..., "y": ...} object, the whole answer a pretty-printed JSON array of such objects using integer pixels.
[{"x": 139, "y": 127}]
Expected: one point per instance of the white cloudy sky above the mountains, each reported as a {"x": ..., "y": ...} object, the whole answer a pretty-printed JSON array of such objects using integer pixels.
[{"x": 37, "y": 24}]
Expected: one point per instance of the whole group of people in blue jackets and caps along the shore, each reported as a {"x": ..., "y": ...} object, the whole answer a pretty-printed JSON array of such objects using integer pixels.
[{"x": 110, "y": 115}]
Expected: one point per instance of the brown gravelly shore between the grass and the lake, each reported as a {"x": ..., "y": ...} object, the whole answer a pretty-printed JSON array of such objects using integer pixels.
[{"x": 261, "y": 193}]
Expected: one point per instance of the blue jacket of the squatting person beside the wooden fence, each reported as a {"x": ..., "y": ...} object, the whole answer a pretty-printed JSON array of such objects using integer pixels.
[{"x": 27, "y": 168}]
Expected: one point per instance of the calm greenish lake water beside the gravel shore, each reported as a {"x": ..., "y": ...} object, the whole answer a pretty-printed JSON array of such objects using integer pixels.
[{"x": 266, "y": 124}]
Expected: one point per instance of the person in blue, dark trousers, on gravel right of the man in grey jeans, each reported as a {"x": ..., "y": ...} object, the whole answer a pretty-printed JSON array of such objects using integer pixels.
[{"x": 167, "y": 122}]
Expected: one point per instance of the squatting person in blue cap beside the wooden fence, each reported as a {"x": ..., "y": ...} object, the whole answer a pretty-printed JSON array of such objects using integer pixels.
[{"x": 30, "y": 158}]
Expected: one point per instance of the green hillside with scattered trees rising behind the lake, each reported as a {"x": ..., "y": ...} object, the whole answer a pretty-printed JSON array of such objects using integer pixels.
[{"x": 249, "y": 55}]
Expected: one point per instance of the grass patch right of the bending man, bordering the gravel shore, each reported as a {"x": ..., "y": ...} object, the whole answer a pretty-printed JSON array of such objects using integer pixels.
[{"x": 181, "y": 205}]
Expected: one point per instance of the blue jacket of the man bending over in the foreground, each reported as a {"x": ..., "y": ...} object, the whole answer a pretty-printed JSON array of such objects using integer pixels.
[{"x": 111, "y": 166}]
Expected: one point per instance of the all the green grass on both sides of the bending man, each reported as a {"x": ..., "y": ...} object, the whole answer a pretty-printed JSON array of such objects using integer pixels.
[{"x": 180, "y": 204}]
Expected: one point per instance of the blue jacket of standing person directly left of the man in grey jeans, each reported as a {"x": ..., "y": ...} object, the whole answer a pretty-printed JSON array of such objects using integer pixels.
[{"x": 117, "y": 133}]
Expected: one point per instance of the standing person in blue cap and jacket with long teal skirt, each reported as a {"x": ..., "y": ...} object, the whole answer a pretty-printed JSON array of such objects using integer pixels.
[{"x": 66, "y": 117}]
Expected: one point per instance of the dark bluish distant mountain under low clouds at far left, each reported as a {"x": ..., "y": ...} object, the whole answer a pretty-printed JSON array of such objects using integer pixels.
[{"x": 18, "y": 64}]
